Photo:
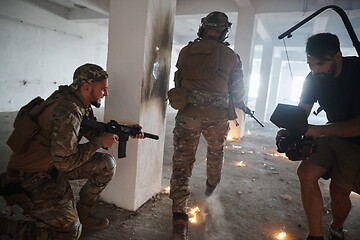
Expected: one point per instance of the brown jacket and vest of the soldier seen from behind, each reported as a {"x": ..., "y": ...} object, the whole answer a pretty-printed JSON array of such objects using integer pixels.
[{"x": 208, "y": 66}]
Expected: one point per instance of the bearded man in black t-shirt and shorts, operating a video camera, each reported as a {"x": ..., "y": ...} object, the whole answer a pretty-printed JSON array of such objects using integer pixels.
[{"x": 334, "y": 82}]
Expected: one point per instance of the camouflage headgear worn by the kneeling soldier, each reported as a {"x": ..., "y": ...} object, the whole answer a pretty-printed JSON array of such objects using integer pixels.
[{"x": 88, "y": 73}]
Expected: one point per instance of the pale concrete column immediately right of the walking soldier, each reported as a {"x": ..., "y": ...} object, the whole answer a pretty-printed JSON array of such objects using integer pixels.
[{"x": 244, "y": 45}]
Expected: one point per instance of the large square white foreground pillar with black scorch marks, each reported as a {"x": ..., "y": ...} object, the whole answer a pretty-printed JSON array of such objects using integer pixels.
[{"x": 140, "y": 42}]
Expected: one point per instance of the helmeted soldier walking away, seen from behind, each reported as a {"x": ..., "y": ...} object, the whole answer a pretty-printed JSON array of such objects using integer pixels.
[{"x": 208, "y": 82}]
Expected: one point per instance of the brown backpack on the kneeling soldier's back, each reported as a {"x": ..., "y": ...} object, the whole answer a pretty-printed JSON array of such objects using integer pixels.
[{"x": 25, "y": 126}]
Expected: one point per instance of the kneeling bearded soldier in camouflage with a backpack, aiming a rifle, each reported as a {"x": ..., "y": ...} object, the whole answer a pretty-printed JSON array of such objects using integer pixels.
[{"x": 41, "y": 168}]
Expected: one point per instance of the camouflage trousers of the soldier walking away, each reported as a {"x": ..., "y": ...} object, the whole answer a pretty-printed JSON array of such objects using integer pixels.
[{"x": 187, "y": 133}]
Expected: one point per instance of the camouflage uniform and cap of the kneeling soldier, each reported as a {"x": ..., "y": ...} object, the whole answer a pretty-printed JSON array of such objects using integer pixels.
[{"x": 54, "y": 157}]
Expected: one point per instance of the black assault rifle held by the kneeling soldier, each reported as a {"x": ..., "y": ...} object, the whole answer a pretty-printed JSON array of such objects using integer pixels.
[{"x": 122, "y": 131}]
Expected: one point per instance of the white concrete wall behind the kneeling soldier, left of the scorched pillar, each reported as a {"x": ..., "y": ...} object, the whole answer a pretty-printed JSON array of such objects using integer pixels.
[{"x": 40, "y": 51}]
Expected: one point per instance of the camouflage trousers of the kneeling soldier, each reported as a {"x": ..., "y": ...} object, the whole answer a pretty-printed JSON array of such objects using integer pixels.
[{"x": 49, "y": 200}]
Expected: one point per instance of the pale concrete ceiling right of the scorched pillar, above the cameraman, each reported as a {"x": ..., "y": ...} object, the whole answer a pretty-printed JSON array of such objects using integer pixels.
[{"x": 274, "y": 17}]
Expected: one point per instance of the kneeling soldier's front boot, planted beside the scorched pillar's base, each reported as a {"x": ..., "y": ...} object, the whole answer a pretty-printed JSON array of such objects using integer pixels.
[{"x": 89, "y": 221}]
